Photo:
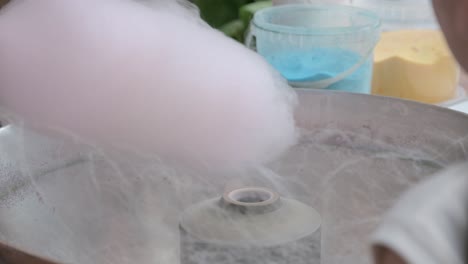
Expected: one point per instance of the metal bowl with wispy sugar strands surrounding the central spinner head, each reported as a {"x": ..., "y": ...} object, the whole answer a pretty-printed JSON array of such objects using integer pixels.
[{"x": 70, "y": 203}]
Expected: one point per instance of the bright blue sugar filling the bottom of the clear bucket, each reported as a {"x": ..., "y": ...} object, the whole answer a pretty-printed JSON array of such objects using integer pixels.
[{"x": 324, "y": 63}]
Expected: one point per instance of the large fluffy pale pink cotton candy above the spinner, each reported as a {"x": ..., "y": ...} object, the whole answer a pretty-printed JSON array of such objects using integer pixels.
[{"x": 118, "y": 72}]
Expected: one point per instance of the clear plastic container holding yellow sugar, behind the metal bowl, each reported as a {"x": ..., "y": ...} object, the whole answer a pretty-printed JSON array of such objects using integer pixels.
[{"x": 412, "y": 60}]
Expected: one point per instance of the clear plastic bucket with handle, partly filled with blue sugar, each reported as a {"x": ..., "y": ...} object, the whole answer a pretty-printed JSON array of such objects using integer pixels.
[{"x": 321, "y": 46}]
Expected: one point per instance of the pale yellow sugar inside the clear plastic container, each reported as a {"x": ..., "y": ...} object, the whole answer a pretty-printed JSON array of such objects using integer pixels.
[{"x": 415, "y": 65}]
